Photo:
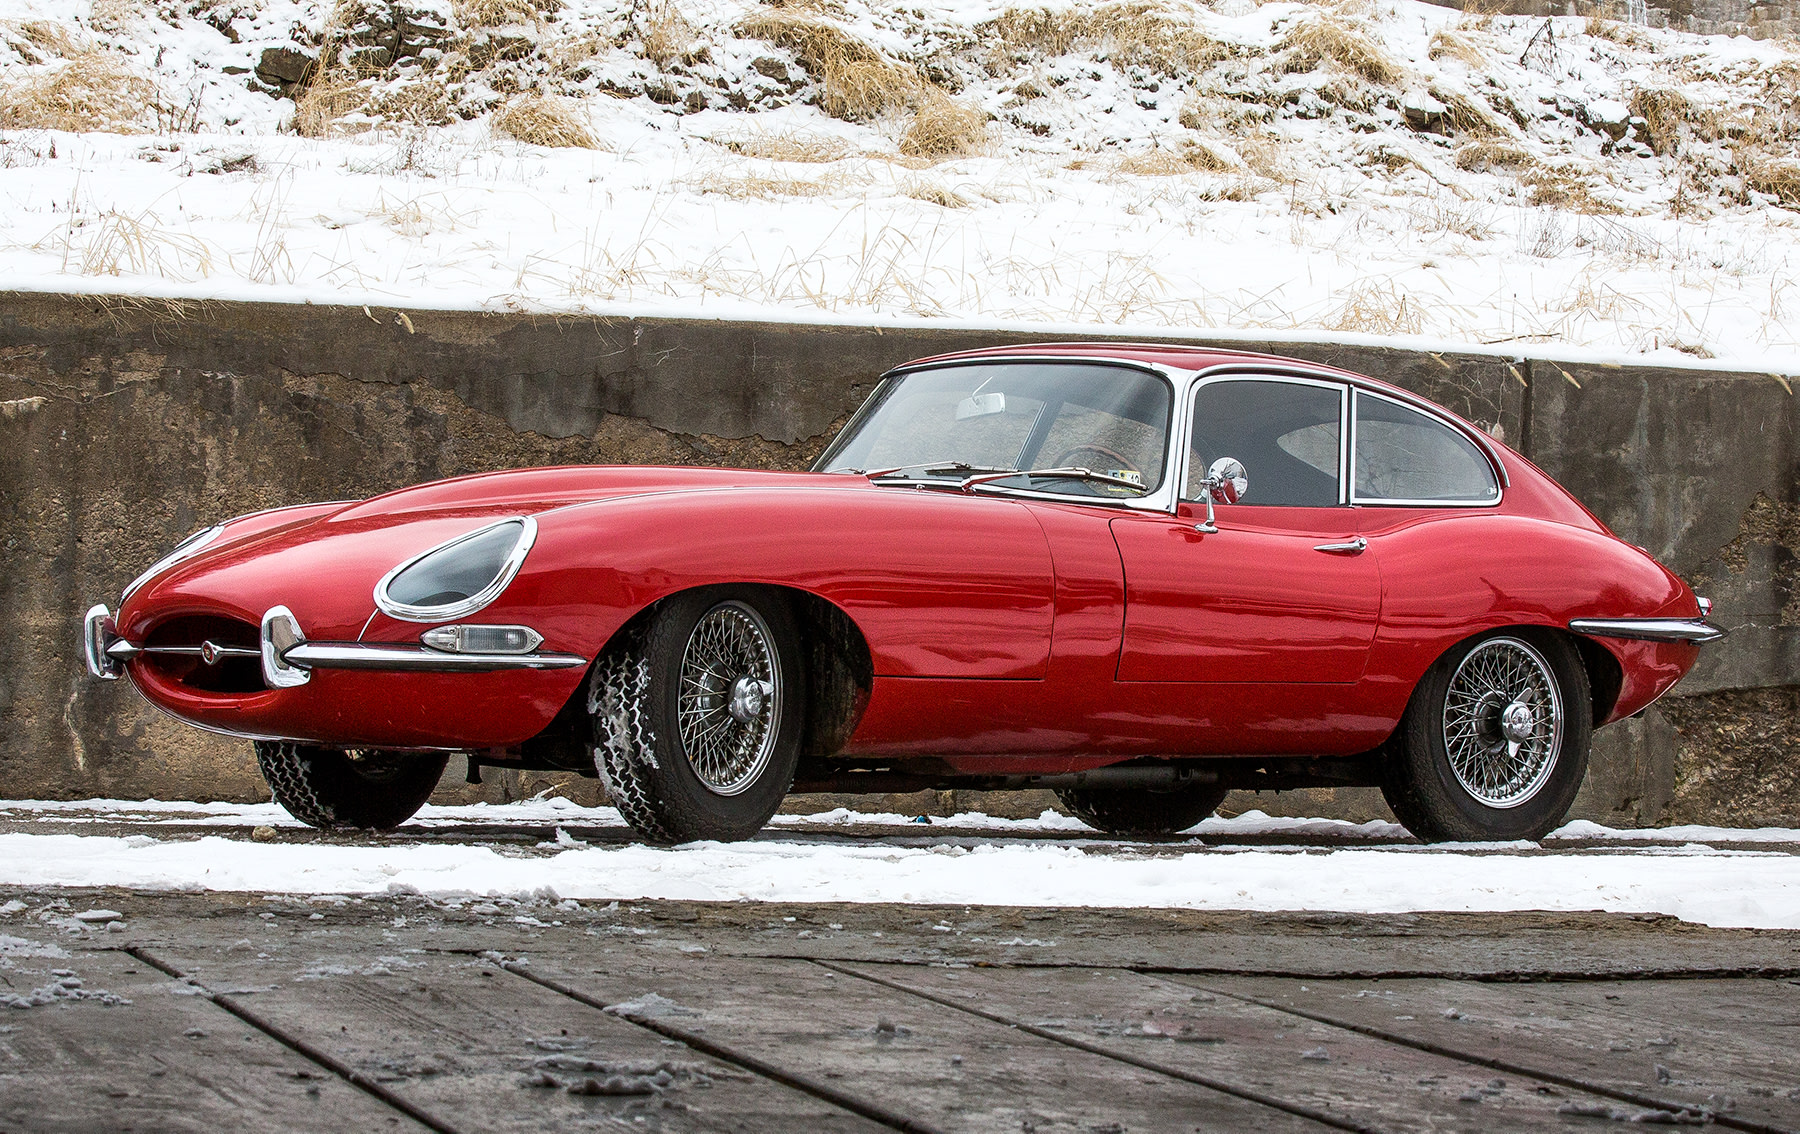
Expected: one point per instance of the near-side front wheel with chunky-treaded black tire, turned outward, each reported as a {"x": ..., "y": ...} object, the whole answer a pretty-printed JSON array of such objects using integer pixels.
[{"x": 714, "y": 782}]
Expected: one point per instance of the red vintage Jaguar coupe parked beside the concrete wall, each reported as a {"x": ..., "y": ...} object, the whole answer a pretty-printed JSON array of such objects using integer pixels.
[{"x": 1137, "y": 575}]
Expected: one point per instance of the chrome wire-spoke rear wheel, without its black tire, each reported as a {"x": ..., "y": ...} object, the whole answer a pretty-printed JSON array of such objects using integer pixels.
[{"x": 1504, "y": 723}]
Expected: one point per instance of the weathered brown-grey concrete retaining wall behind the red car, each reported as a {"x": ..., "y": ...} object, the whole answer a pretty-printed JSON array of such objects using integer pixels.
[{"x": 129, "y": 424}]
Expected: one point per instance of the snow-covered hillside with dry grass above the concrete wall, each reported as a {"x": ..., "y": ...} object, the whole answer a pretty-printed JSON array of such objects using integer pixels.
[{"x": 1383, "y": 168}]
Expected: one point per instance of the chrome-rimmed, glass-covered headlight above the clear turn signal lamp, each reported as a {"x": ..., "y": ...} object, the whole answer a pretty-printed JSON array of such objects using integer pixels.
[{"x": 460, "y": 577}]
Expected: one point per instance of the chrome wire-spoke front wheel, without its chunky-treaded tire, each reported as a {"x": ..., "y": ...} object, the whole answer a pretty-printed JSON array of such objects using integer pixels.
[{"x": 730, "y": 708}]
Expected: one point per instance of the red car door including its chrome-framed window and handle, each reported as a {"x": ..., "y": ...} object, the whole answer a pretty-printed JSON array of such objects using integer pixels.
[{"x": 1286, "y": 591}]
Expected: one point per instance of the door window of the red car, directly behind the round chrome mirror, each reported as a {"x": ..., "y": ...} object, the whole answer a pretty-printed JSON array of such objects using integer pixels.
[{"x": 1286, "y": 433}]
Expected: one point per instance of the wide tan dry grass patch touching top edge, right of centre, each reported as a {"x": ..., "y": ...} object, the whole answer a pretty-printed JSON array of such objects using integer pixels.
[{"x": 1135, "y": 33}]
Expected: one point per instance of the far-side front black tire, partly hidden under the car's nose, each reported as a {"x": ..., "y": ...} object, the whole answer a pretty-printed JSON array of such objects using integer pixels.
[{"x": 327, "y": 789}]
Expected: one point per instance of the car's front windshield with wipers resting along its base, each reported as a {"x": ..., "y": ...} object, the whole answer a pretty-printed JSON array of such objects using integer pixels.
[{"x": 960, "y": 420}]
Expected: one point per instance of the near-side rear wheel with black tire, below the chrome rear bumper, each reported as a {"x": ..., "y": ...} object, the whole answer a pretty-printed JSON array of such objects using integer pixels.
[{"x": 1520, "y": 798}]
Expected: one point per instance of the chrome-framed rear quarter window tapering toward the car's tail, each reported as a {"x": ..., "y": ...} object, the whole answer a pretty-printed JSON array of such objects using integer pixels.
[{"x": 1405, "y": 456}]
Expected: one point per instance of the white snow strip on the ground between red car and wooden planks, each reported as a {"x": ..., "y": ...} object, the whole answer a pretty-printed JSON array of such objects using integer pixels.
[{"x": 1704, "y": 881}]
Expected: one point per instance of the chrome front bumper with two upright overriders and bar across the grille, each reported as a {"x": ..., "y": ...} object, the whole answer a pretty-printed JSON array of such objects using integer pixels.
[{"x": 289, "y": 658}]
